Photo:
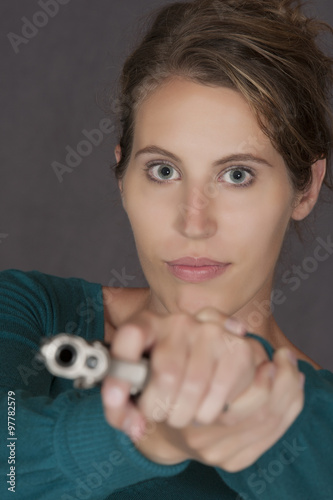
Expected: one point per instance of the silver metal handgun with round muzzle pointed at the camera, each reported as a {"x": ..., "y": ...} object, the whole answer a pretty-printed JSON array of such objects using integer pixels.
[{"x": 88, "y": 363}]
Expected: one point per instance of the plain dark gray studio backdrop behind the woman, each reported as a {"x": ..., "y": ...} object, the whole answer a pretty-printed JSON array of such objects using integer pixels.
[{"x": 77, "y": 227}]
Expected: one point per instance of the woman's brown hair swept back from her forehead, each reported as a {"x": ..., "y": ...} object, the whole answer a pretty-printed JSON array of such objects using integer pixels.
[{"x": 266, "y": 49}]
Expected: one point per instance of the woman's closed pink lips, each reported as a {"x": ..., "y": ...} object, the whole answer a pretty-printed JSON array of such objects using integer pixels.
[{"x": 196, "y": 270}]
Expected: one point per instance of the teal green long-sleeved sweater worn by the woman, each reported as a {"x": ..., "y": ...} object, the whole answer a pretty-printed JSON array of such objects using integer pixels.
[{"x": 62, "y": 448}]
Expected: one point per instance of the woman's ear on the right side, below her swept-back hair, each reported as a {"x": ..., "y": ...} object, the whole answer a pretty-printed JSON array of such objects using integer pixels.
[{"x": 307, "y": 200}]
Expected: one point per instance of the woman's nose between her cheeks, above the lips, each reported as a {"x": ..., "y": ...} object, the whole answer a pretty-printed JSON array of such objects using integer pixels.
[{"x": 196, "y": 217}]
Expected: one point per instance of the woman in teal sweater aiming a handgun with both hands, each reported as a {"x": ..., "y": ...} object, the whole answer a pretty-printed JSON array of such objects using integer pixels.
[{"x": 224, "y": 144}]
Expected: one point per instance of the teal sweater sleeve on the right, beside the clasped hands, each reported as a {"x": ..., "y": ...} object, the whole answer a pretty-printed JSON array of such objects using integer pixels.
[{"x": 299, "y": 465}]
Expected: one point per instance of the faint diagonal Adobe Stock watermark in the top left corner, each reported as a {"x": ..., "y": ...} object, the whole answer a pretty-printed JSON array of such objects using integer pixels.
[{"x": 39, "y": 20}]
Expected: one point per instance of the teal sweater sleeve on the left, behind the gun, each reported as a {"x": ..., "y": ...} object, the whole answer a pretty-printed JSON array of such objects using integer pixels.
[{"x": 57, "y": 443}]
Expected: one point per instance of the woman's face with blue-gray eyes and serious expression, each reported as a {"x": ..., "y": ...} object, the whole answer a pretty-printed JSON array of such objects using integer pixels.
[{"x": 219, "y": 190}]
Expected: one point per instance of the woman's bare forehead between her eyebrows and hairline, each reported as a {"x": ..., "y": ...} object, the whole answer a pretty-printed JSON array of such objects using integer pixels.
[{"x": 185, "y": 114}]
